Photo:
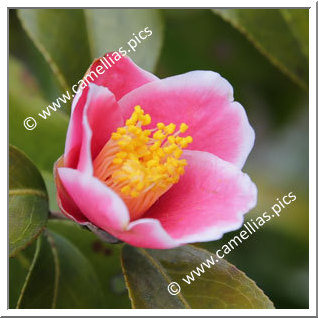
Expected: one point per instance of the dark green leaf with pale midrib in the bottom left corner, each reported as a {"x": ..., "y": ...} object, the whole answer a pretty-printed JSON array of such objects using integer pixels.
[{"x": 59, "y": 277}]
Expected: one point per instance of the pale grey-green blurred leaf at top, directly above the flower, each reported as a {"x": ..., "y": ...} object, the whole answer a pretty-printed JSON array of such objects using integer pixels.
[{"x": 110, "y": 29}]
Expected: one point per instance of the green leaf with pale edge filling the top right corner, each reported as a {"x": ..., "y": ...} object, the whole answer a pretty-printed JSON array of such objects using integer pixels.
[{"x": 271, "y": 33}]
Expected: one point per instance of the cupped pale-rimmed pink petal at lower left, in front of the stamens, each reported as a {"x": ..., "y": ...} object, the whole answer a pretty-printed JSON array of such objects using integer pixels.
[{"x": 98, "y": 203}]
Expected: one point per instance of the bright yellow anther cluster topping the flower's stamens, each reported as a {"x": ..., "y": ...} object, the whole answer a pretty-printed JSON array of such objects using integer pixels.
[{"x": 148, "y": 158}]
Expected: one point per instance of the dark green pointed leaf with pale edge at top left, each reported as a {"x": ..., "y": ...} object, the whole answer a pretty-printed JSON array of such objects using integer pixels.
[{"x": 60, "y": 35}]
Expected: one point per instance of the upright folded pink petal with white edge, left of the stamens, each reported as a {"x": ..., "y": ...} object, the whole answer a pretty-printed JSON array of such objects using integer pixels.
[{"x": 90, "y": 126}]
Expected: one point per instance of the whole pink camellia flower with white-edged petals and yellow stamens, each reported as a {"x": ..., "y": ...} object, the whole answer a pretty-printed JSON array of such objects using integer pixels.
[{"x": 156, "y": 162}]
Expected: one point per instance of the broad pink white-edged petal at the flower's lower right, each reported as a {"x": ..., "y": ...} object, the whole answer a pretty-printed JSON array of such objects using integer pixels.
[{"x": 209, "y": 200}]
